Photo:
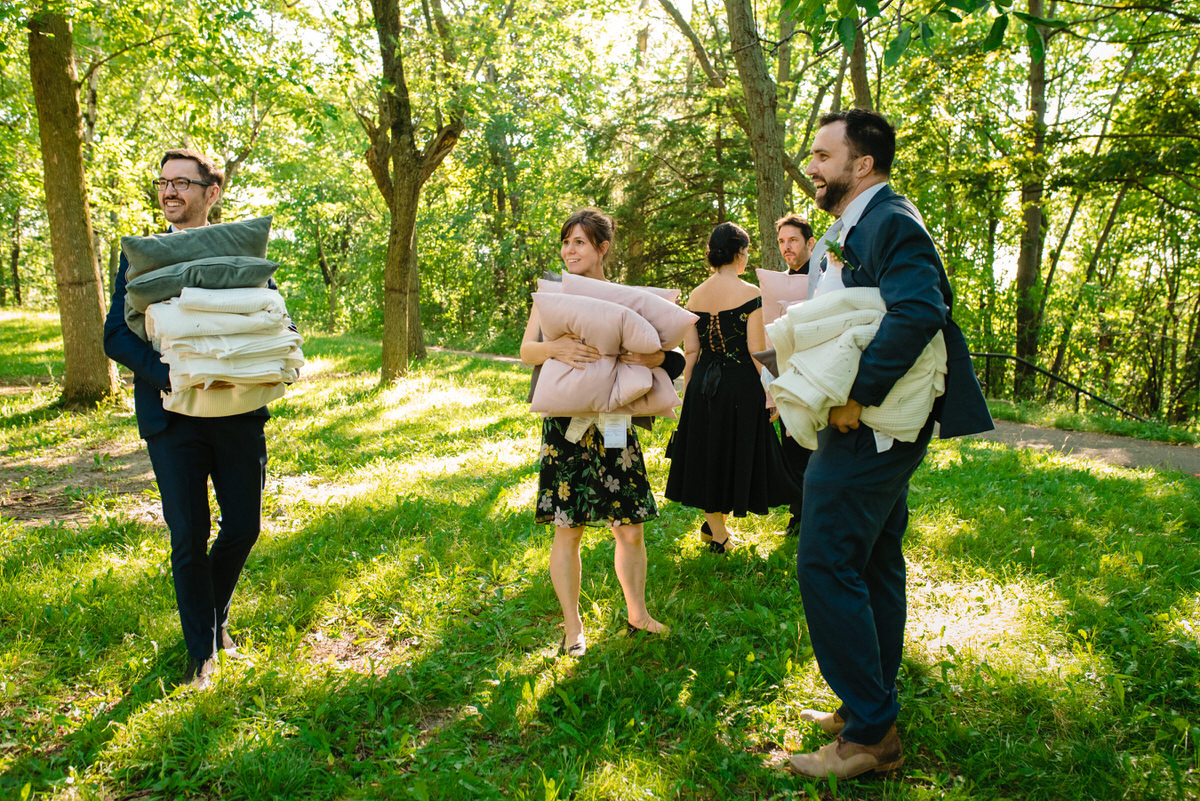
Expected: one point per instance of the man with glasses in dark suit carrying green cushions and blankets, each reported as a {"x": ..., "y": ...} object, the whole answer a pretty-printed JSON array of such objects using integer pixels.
[{"x": 187, "y": 451}]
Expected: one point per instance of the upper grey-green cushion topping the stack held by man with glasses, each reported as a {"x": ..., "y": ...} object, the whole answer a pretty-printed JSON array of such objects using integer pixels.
[{"x": 243, "y": 238}]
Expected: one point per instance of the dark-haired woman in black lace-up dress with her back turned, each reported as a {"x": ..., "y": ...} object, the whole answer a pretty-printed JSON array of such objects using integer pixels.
[{"x": 724, "y": 455}]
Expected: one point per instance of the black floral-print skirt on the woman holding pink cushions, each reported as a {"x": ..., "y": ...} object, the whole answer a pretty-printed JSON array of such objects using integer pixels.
[{"x": 587, "y": 484}]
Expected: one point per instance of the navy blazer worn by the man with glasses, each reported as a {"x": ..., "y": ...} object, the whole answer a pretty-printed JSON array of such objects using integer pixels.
[{"x": 151, "y": 374}]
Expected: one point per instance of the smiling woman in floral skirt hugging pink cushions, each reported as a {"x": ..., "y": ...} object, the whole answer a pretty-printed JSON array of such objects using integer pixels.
[{"x": 581, "y": 481}]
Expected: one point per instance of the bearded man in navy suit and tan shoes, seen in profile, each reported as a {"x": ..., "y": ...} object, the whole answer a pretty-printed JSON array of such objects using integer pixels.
[{"x": 850, "y": 564}]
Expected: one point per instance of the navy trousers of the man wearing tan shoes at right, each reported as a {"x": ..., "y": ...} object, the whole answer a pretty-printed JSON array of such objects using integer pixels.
[{"x": 851, "y": 570}]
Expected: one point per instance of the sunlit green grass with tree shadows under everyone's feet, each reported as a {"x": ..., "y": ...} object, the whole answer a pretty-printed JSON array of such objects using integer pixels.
[{"x": 405, "y": 634}]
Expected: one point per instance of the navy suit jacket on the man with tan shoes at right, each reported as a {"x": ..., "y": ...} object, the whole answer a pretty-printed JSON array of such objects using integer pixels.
[{"x": 890, "y": 249}]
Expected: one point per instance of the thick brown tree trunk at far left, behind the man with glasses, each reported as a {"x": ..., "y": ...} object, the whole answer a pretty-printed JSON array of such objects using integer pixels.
[{"x": 89, "y": 377}]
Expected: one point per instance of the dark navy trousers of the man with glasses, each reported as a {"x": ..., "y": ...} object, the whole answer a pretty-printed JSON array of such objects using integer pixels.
[{"x": 233, "y": 453}]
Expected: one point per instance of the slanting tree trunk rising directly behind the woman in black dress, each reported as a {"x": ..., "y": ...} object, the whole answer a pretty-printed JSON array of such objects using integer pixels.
[{"x": 766, "y": 133}]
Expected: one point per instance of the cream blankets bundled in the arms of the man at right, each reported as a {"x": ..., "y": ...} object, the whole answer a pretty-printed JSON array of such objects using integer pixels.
[{"x": 819, "y": 345}]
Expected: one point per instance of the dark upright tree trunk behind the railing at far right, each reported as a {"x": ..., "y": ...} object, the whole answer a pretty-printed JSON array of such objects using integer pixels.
[{"x": 1029, "y": 261}]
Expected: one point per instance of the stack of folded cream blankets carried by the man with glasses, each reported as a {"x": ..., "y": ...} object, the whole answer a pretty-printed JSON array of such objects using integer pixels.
[{"x": 230, "y": 351}]
